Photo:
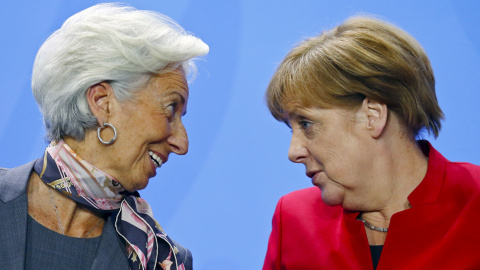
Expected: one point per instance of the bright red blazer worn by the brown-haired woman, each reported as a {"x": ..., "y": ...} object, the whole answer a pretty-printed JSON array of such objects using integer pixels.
[{"x": 440, "y": 231}]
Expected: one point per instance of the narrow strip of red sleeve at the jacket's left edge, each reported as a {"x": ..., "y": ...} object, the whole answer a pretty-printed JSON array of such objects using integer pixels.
[{"x": 273, "y": 257}]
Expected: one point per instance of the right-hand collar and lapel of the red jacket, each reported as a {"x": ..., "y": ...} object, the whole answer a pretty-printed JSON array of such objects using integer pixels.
[{"x": 418, "y": 229}]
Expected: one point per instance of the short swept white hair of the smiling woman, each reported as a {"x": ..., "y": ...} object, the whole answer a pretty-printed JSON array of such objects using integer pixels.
[{"x": 105, "y": 43}]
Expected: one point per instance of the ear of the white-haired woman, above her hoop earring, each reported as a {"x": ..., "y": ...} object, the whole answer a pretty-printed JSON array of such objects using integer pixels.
[{"x": 99, "y": 98}]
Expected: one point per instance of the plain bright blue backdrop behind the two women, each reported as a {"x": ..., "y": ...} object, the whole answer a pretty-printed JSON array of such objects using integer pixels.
[{"x": 222, "y": 194}]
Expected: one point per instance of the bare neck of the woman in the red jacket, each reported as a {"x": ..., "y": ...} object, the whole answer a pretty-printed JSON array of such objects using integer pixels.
[{"x": 399, "y": 166}]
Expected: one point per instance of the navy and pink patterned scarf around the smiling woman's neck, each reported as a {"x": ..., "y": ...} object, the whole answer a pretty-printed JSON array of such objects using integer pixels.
[{"x": 148, "y": 246}]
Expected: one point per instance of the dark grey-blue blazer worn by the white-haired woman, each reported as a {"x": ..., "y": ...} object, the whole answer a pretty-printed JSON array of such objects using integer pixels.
[{"x": 13, "y": 227}]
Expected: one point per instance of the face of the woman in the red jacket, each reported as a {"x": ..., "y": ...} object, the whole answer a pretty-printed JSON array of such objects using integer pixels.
[{"x": 329, "y": 142}]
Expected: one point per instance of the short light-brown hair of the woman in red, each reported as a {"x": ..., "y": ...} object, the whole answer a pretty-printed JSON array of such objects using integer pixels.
[{"x": 362, "y": 57}]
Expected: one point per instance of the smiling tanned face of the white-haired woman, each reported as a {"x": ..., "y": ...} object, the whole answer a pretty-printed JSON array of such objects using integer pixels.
[{"x": 149, "y": 129}]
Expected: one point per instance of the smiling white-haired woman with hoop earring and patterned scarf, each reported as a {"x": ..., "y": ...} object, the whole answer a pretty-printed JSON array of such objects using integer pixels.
[{"x": 111, "y": 85}]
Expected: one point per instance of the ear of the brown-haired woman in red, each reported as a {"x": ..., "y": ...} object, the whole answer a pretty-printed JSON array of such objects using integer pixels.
[{"x": 377, "y": 115}]
